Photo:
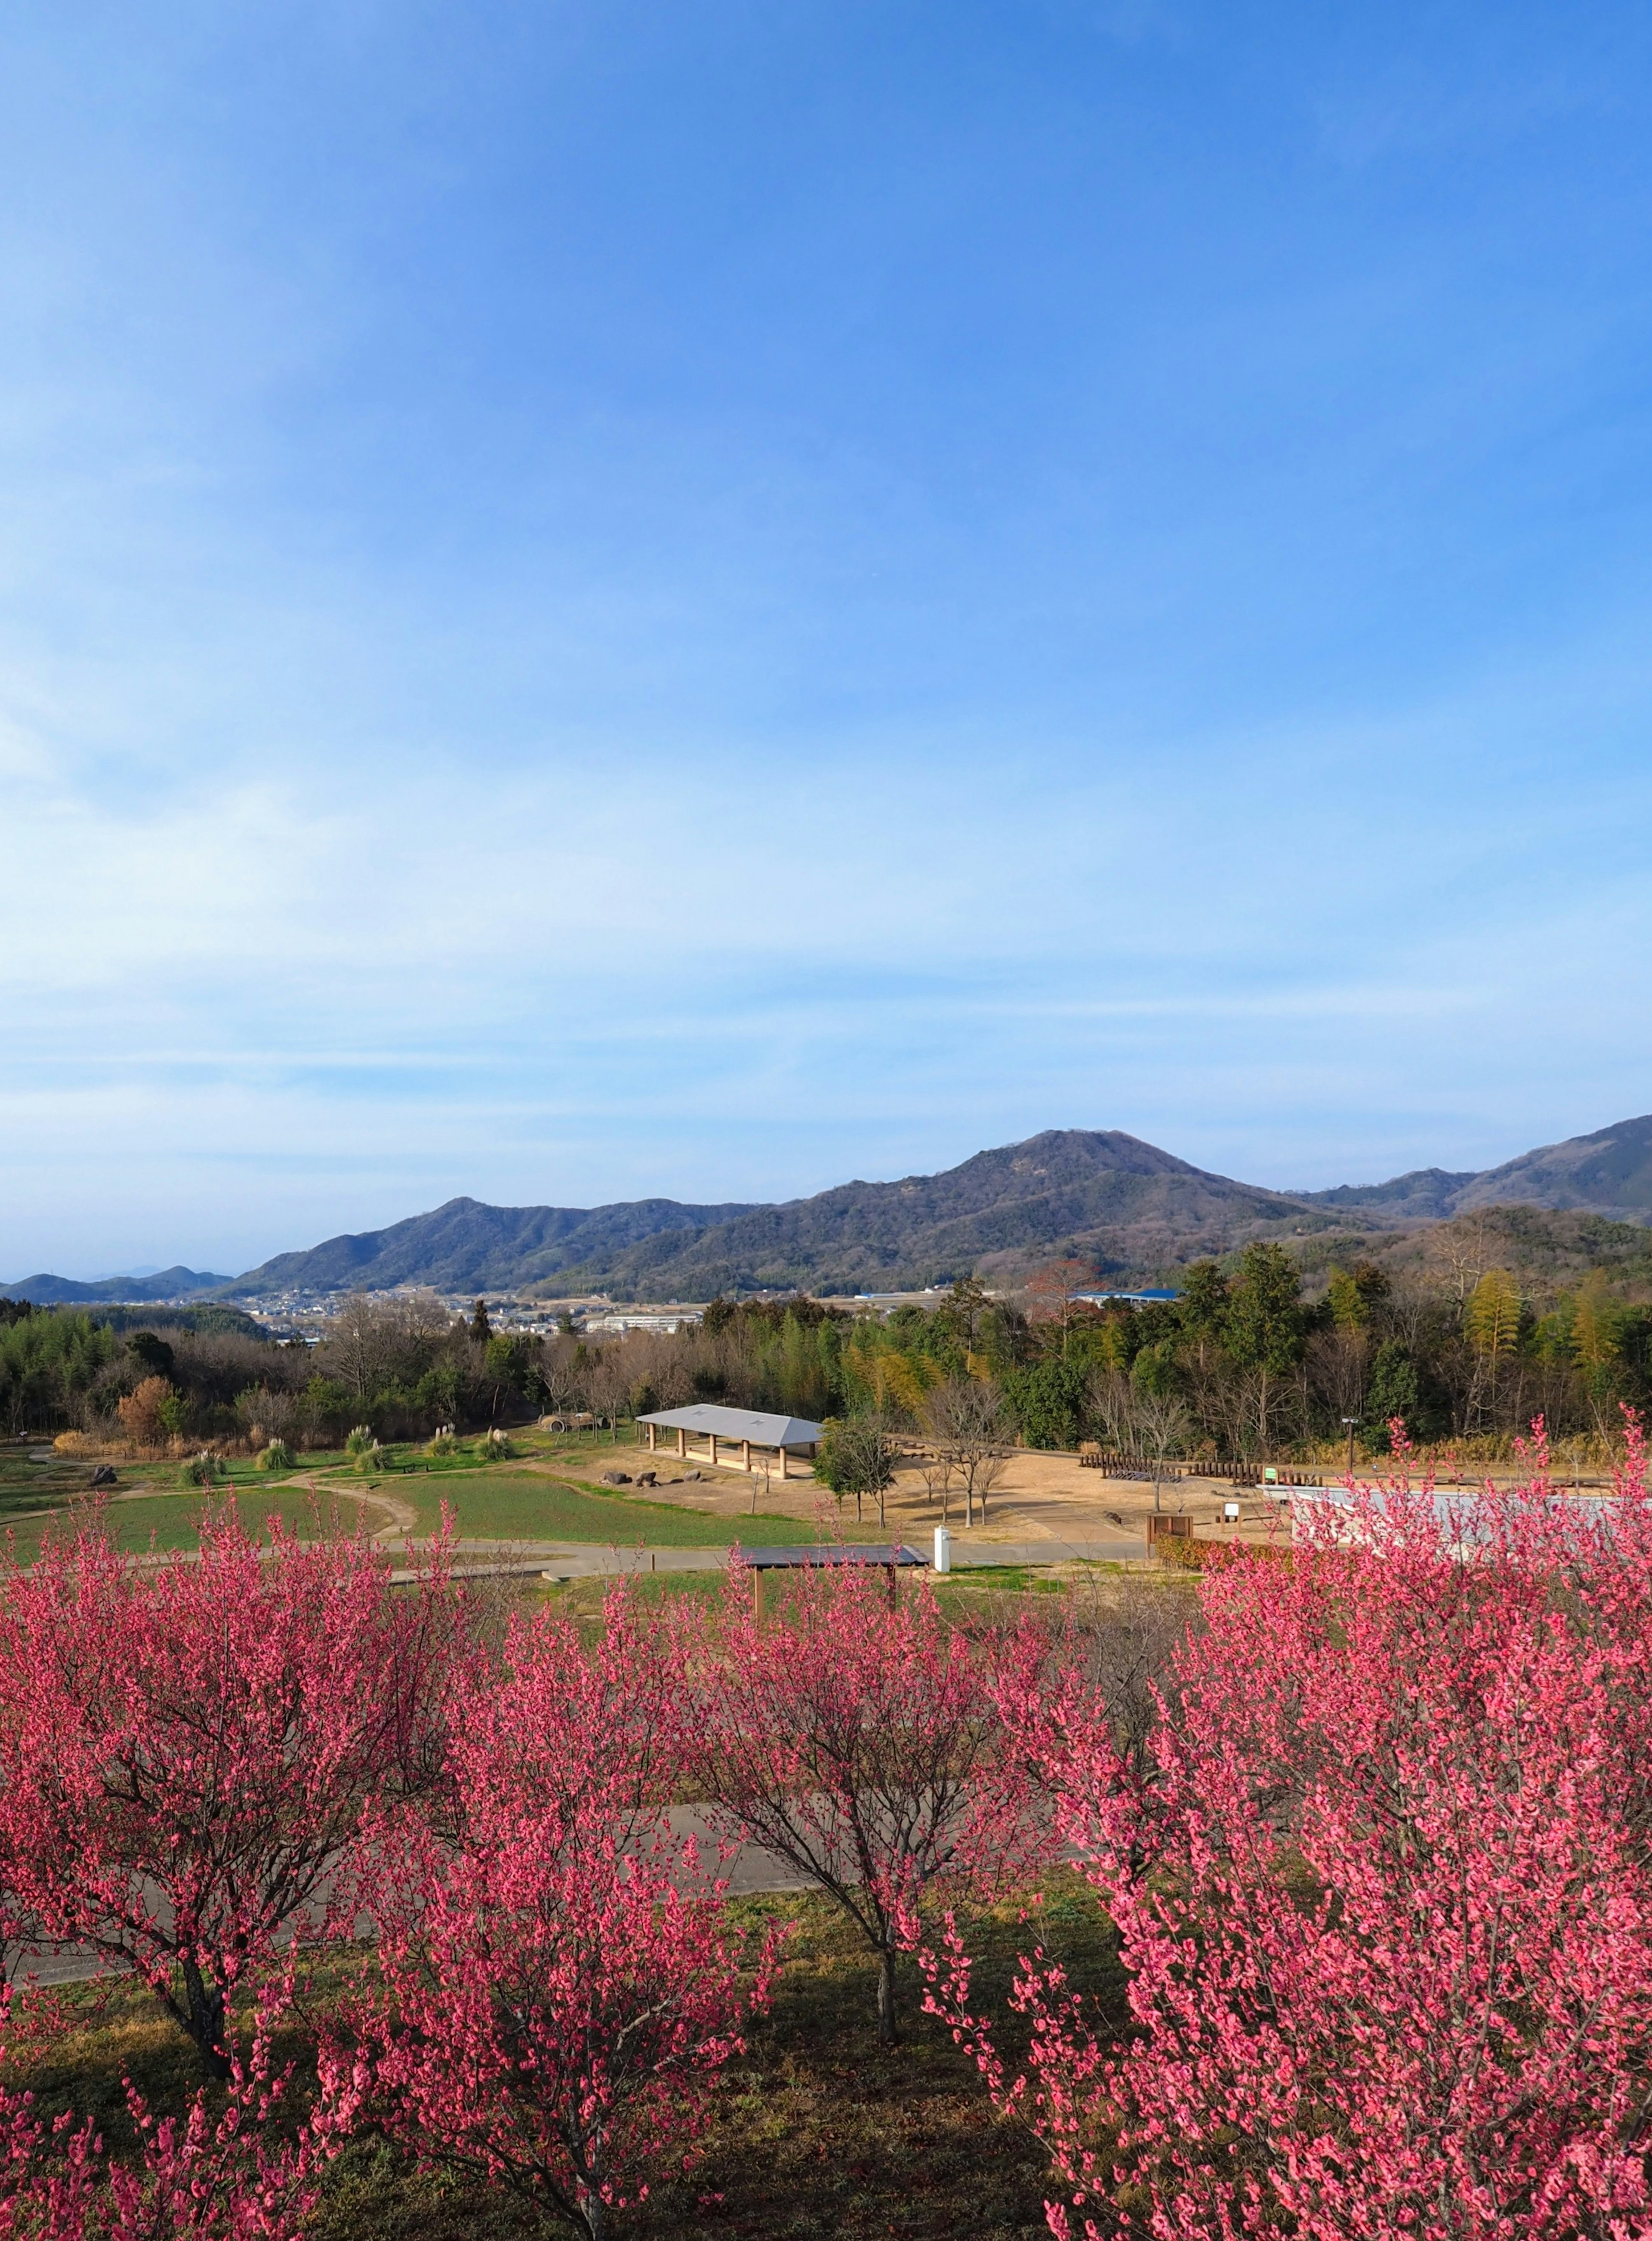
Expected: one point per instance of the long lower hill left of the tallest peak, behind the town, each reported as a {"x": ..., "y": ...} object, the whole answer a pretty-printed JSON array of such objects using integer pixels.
[{"x": 474, "y": 1247}]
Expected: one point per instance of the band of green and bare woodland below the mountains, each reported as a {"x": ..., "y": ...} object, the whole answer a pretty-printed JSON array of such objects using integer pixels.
[{"x": 1250, "y": 1361}]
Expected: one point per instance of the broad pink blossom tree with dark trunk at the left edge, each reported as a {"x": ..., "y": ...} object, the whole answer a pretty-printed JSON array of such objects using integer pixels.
[{"x": 189, "y": 1749}]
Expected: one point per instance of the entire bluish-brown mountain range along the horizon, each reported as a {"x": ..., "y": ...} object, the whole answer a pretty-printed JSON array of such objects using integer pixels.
[{"x": 1124, "y": 1207}]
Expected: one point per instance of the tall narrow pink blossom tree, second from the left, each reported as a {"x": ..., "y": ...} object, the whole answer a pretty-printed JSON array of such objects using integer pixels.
[{"x": 557, "y": 1987}]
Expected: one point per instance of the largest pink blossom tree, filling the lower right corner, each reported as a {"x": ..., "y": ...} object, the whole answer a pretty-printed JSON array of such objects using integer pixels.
[{"x": 1382, "y": 1890}]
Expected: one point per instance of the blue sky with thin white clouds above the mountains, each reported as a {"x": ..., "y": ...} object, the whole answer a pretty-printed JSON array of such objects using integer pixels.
[{"x": 714, "y": 599}]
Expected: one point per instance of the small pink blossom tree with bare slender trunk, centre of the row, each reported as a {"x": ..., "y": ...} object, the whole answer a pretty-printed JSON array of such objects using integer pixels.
[{"x": 860, "y": 1742}]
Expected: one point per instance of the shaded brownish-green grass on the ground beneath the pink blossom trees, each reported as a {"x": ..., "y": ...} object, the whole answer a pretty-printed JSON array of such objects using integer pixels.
[{"x": 817, "y": 2132}]
